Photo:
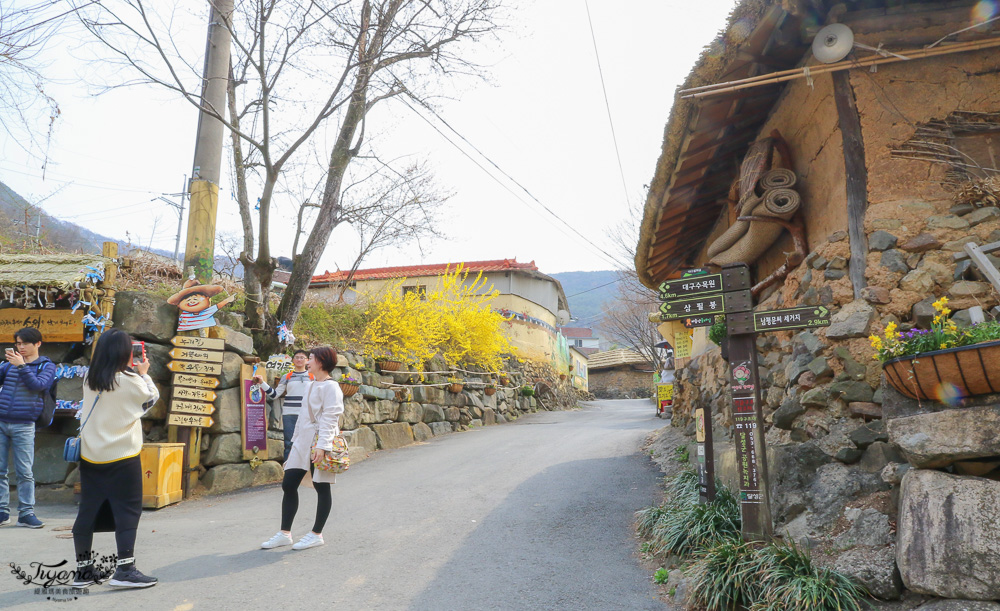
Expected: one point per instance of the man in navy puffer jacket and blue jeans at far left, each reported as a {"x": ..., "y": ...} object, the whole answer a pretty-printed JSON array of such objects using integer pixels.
[{"x": 25, "y": 378}]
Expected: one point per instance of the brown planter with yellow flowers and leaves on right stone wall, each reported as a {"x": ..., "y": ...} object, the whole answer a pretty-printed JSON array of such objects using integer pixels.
[{"x": 942, "y": 360}]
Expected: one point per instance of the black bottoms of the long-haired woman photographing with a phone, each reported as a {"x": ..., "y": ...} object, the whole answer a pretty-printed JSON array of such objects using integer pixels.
[{"x": 110, "y": 499}]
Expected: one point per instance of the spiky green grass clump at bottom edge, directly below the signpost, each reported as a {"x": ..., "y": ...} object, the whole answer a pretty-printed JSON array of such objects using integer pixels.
[{"x": 723, "y": 577}]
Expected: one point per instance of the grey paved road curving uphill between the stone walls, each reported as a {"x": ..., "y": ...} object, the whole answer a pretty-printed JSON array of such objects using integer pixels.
[{"x": 534, "y": 514}]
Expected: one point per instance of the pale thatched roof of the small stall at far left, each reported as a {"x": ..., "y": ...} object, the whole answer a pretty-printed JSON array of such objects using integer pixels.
[{"x": 58, "y": 271}]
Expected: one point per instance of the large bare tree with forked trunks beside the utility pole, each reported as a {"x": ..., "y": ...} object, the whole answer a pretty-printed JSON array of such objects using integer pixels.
[{"x": 301, "y": 68}]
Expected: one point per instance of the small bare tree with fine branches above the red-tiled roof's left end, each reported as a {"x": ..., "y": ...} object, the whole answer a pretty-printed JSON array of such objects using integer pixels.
[{"x": 390, "y": 209}]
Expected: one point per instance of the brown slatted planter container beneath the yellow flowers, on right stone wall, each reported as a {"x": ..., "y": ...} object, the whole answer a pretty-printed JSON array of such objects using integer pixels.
[{"x": 973, "y": 370}]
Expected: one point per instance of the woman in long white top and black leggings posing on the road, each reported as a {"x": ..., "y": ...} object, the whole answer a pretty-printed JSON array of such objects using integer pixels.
[{"x": 318, "y": 423}]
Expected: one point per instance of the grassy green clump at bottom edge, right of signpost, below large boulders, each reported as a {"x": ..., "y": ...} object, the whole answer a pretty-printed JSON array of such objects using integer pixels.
[{"x": 789, "y": 581}]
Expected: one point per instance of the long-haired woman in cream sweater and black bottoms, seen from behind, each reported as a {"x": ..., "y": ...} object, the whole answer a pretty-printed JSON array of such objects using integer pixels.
[{"x": 114, "y": 399}]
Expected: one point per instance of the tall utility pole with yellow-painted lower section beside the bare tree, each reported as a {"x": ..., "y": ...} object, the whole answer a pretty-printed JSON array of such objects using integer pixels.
[{"x": 204, "y": 188}]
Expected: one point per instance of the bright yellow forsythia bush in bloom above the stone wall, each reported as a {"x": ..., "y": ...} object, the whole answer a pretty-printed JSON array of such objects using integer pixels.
[{"x": 455, "y": 320}]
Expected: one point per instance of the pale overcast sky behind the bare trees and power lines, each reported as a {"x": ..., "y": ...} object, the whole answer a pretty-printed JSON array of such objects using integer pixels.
[{"x": 541, "y": 117}]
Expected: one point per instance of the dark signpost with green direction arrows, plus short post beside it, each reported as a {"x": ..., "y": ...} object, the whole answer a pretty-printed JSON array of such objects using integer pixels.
[{"x": 697, "y": 298}]
